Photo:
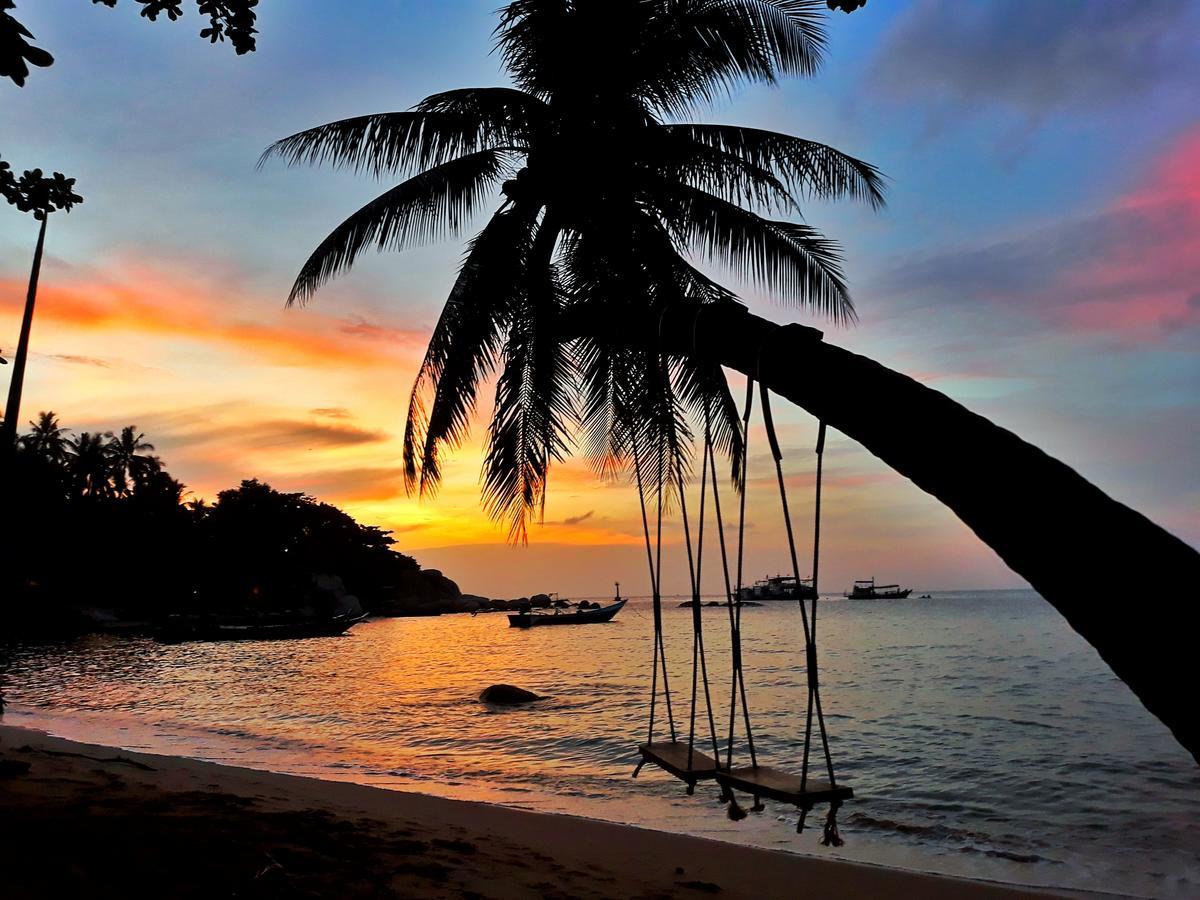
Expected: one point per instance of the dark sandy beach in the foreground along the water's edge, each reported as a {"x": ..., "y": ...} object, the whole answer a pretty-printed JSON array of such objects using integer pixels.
[{"x": 214, "y": 827}]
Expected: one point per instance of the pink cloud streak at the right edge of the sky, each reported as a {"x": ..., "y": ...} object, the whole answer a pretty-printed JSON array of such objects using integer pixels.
[{"x": 1132, "y": 269}]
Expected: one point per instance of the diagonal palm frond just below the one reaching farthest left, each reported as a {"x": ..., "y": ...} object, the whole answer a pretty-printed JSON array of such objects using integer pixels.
[{"x": 436, "y": 203}]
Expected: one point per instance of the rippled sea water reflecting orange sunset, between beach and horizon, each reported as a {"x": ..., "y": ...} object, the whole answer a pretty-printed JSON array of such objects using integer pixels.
[{"x": 981, "y": 735}]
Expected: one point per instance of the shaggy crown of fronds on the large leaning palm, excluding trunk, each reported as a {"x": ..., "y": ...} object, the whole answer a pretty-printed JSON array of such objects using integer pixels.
[{"x": 607, "y": 205}]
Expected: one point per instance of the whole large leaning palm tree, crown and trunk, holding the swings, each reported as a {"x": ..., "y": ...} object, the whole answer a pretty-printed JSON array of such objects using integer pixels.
[{"x": 581, "y": 292}]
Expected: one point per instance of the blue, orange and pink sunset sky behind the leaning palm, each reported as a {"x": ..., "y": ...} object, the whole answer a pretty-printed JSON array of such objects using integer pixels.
[{"x": 1039, "y": 262}]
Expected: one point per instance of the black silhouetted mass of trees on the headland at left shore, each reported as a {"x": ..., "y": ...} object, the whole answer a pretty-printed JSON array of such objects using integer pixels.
[{"x": 137, "y": 545}]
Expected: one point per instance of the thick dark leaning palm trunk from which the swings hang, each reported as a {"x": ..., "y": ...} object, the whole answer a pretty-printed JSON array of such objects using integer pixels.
[{"x": 1121, "y": 581}]
